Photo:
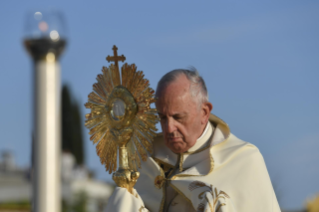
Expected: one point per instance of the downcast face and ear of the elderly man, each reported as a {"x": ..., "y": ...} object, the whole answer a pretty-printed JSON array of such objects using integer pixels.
[{"x": 182, "y": 120}]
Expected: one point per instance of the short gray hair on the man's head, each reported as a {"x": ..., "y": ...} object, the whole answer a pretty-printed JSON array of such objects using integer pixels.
[{"x": 197, "y": 84}]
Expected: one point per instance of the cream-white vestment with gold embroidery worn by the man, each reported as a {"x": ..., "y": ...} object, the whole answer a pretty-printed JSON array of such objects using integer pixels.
[{"x": 219, "y": 173}]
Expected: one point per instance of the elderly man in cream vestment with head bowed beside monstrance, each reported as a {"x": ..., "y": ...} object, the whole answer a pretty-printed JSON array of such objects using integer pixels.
[{"x": 197, "y": 164}]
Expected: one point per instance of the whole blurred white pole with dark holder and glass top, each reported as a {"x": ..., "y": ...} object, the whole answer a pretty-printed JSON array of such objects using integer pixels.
[{"x": 45, "y": 41}]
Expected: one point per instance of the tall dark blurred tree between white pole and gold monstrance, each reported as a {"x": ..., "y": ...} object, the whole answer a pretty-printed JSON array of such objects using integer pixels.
[{"x": 72, "y": 134}]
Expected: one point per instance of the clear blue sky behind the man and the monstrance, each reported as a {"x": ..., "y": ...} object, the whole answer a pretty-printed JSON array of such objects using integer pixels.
[{"x": 260, "y": 60}]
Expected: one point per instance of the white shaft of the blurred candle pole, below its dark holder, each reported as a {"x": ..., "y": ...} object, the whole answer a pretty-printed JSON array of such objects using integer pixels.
[{"x": 47, "y": 116}]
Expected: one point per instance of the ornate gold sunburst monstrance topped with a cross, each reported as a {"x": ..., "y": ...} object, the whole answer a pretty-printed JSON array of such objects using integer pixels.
[{"x": 121, "y": 117}]
